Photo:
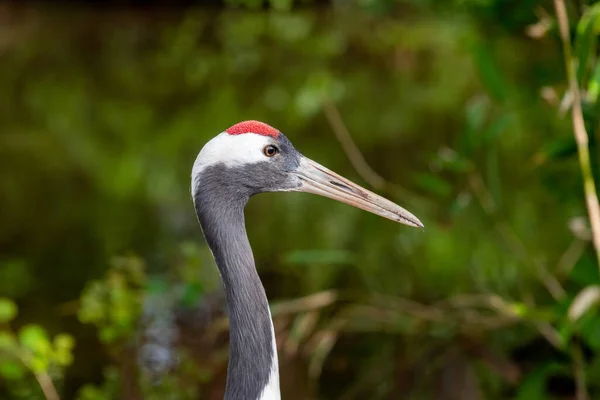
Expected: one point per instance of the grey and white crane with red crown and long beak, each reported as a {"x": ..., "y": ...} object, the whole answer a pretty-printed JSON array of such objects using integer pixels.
[{"x": 249, "y": 158}]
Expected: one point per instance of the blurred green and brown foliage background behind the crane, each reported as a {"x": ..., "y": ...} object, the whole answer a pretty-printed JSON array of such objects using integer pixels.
[{"x": 458, "y": 110}]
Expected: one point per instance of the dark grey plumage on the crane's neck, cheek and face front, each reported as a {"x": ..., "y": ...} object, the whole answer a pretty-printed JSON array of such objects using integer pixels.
[{"x": 220, "y": 195}]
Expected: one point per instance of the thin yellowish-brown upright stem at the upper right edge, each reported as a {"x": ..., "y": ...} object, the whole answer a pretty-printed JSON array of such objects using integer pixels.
[{"x": 581, "y": 136}]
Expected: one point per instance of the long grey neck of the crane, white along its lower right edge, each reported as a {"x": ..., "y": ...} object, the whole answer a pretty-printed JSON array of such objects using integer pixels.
[{"x": 253, "y": 372}]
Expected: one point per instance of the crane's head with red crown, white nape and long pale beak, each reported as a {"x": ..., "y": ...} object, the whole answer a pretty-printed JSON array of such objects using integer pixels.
[{"x": 252, "y": 157}]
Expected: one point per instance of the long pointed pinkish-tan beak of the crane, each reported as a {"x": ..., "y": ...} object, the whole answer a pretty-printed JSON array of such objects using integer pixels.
[{"x": 319, "y": 180}]
